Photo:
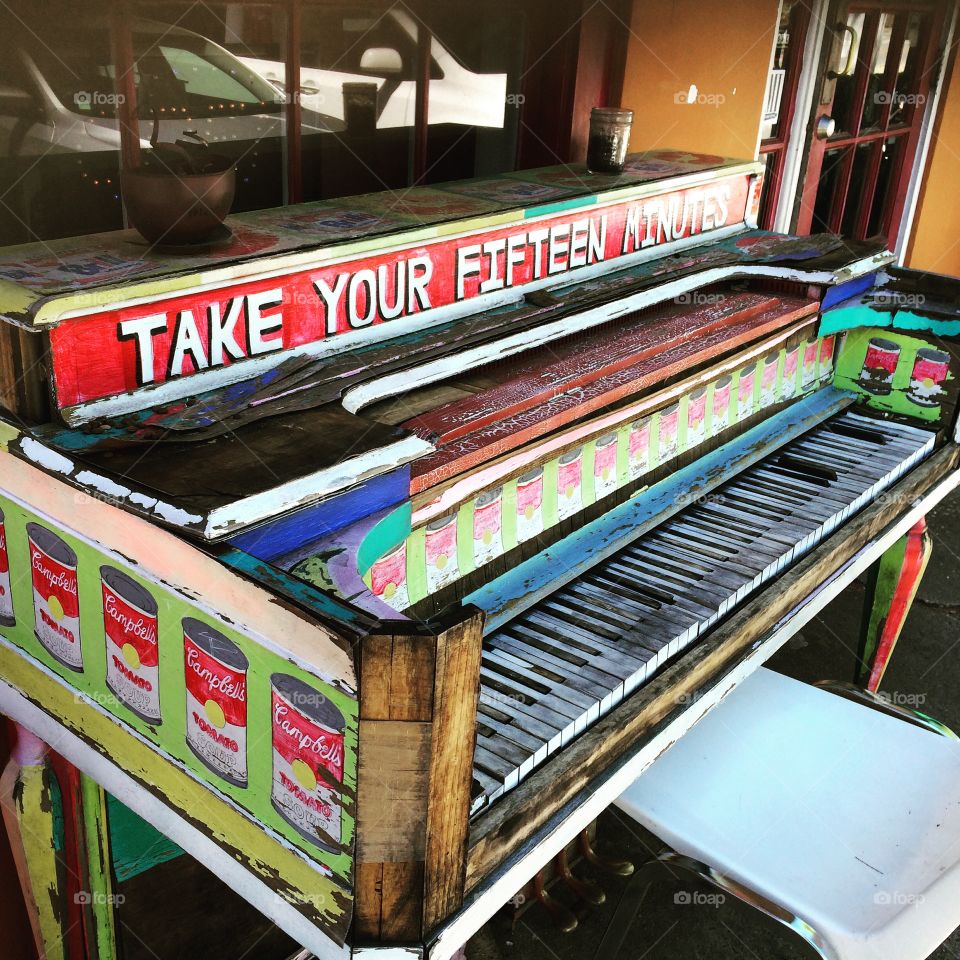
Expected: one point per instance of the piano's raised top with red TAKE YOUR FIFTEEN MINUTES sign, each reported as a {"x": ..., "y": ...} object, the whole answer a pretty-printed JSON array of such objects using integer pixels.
[{"x": 130, "y": 327}]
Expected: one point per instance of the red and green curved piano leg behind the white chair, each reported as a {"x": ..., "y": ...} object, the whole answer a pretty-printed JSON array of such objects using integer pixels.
[{"x": 891, "y": 588}]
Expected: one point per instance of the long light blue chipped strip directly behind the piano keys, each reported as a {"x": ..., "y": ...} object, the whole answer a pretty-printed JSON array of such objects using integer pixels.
[{"x": 521, "y": 587}]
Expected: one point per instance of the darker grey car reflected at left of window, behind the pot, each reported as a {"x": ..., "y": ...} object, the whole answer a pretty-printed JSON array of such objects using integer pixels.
[{"x": 64, "y": 100}]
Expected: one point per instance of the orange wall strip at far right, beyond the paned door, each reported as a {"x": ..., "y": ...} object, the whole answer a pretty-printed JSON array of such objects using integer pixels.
[{"x": 935, "y": 243}]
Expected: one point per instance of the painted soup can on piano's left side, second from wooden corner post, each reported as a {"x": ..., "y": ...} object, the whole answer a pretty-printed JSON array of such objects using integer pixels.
[{"x": 216, "y": 672}]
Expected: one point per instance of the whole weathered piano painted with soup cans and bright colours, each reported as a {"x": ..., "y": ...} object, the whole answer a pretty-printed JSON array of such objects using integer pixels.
[{"x": 369, "y": 555}]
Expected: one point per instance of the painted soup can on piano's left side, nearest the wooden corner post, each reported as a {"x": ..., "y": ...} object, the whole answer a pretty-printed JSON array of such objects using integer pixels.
[{"x": 307, "y": 760}]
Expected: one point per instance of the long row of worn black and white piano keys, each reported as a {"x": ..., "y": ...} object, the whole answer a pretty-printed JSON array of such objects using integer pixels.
[{"x": 562, "y": 664}]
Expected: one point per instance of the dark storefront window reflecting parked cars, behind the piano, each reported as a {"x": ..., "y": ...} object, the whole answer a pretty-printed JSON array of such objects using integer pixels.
[{"x": 390, "y": 95}]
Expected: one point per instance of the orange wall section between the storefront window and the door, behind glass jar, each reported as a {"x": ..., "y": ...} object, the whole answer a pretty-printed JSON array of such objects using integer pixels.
[{"x": 722, "y": 46}]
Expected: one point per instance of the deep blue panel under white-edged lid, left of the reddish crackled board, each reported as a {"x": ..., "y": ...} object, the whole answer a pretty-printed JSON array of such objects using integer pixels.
[{"x": 285, "y": 533}]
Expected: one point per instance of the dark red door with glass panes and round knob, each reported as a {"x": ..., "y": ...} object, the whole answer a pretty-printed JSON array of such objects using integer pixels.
[{"x": 871, "y": 100}]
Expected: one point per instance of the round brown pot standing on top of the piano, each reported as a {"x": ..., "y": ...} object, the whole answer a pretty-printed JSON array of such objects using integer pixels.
[{"x": 171, "y": 207}]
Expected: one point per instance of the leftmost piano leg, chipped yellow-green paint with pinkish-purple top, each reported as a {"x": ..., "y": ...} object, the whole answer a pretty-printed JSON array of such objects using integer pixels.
[{"x": 30, "y": 798}]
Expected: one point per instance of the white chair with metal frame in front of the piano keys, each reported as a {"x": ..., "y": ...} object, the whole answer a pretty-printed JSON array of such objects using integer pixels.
[{"x": 838, "y": 820}]
